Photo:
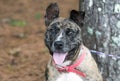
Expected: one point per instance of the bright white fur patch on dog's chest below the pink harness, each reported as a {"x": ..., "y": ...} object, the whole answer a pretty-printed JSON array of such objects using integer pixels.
[{"x": 69, "y": 77}]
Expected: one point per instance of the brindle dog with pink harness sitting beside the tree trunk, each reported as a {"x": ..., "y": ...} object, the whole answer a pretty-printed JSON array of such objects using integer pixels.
[{"x": 71, "y": 60}]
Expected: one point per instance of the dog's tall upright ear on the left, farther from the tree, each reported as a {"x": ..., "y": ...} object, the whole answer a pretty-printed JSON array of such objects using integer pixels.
[{"x": 52, "y": 12}]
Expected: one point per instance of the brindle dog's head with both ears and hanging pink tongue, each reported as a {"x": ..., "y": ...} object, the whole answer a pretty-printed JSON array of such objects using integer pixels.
[{"x": 63, "y": 35}]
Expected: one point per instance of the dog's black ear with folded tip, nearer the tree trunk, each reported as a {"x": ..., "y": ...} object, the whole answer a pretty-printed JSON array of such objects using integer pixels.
[{"x": 77, "y": 17}]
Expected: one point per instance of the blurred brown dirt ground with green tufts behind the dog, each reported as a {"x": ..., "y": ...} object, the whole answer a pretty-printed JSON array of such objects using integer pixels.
[{"x": 23, "y": 55}]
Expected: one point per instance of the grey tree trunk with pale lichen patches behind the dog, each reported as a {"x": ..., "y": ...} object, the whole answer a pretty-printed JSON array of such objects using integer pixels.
[{"x": 101, "y": 32}]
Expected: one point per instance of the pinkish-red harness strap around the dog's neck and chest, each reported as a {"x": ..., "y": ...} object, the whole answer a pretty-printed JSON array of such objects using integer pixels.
[{"x": 72, "y": 68}]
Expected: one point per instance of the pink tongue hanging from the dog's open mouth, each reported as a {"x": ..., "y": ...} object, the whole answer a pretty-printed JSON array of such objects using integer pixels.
[{"x": 59, "y": 58}]
